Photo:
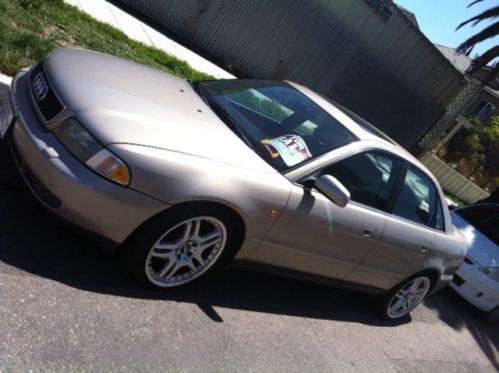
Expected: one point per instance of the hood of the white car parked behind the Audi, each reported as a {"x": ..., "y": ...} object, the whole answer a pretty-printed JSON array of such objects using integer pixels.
[{"x": 482, "y": 250}]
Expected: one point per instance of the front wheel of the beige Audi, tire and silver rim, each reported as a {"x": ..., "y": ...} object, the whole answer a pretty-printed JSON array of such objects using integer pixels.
[{"x": 181, "y": 245}]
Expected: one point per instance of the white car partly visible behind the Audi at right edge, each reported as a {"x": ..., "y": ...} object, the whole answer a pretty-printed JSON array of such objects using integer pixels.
[{"x": 477, "y": 280}]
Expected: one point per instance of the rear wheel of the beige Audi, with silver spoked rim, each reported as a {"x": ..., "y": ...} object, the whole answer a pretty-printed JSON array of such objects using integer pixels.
[{"x": 405, "y": 297}]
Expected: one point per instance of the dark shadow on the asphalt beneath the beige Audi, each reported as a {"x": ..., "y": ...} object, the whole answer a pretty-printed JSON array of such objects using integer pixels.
[{"x": 33, "y": 240}]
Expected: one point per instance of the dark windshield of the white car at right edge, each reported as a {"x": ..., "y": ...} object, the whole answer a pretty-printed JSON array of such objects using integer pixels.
[{"x": 485, "y": 218}]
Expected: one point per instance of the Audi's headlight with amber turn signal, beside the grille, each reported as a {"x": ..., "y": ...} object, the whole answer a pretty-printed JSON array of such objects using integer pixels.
[{"x": 91, "y": 152}]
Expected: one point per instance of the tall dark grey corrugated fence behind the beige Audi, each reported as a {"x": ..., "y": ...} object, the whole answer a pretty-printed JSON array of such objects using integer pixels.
[{"x": 366, "y": 55}]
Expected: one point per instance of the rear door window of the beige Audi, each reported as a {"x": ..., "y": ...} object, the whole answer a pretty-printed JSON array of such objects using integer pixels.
[{"x": 416, "y": 200}]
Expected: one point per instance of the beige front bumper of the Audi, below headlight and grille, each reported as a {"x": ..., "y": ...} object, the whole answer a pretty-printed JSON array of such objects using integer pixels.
[{"x": 66, "y": 186}]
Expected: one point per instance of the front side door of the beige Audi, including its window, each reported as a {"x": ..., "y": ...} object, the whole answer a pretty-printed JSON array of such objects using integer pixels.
[{"x": 314, "y": 235}]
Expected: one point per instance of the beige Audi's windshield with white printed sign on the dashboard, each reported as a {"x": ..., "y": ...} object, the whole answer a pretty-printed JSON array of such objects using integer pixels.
[{"x": 281, "y": 124}]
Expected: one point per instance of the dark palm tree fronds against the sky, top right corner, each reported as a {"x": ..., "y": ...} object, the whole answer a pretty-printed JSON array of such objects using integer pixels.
[{"x": 488, "y": 32}]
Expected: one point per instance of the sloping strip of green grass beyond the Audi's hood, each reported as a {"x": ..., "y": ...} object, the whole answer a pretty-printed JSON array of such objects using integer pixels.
[{"x": 29, "y": 29}]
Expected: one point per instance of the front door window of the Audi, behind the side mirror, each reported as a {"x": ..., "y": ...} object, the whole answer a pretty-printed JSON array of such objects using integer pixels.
[{"x": 369, "y": 177}]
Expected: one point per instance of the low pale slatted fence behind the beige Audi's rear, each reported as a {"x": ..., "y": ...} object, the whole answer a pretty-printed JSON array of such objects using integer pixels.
[{"x": 452, "y": 181}]
